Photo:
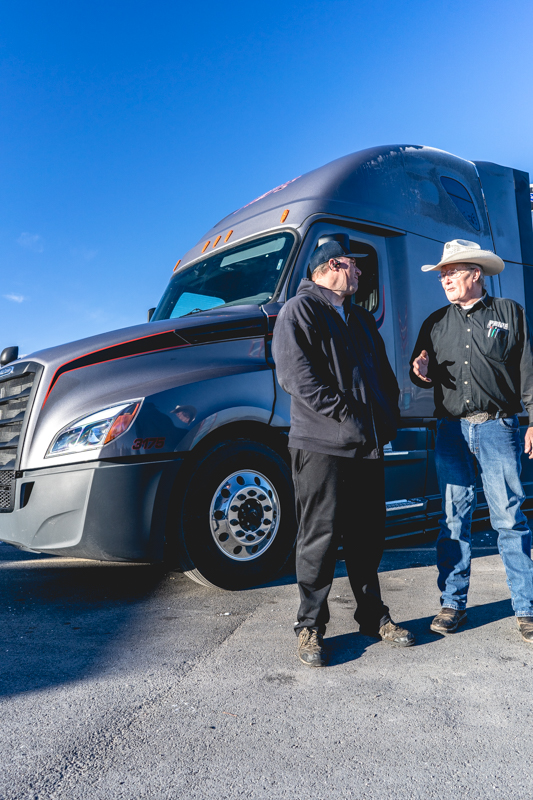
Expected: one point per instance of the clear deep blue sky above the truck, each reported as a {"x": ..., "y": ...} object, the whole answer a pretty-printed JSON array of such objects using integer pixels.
[{"x": 127, "y": 129}]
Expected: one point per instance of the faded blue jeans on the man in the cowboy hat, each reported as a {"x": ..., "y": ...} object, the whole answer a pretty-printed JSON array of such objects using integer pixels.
[{"x": 496, "y": 447}]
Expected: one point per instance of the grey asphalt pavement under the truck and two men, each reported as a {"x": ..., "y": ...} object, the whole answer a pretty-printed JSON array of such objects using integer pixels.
[{"x": 127, "y": 681}]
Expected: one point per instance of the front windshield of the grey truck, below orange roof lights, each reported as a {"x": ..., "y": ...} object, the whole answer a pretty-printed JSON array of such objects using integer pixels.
[{"x": 245, "y": 275}]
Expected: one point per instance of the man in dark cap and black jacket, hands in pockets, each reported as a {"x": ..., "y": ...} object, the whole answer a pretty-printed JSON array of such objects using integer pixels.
[{"x": 344, "y": 407}]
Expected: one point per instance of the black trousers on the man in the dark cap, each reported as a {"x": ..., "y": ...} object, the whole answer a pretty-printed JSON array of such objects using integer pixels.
[{"x": 338, "y": 500}]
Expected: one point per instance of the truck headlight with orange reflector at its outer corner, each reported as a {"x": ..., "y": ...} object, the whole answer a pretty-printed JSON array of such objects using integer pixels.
[{"x": 95, "y": 430}]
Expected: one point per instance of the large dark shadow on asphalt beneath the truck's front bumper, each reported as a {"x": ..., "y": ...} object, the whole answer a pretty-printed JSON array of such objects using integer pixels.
[{"x": 58, "y": 622}]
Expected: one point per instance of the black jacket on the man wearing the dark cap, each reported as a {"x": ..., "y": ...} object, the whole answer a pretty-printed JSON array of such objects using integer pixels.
[{"x": 344, "y": 392}]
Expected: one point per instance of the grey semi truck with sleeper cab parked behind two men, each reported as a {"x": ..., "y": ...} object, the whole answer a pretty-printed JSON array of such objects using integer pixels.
[{"x": 168, "y": 439}]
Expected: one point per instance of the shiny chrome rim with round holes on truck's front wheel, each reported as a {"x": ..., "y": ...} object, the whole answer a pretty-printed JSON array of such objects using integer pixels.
[{"x": 244, "y": 515}]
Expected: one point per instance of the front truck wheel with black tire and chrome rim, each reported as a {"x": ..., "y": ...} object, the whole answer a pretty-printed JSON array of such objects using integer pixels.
[{"x": 238, "y": 523}]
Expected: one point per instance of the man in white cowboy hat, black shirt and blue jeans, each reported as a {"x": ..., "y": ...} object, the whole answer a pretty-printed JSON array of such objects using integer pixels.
[{"x": 476, "y": 354}]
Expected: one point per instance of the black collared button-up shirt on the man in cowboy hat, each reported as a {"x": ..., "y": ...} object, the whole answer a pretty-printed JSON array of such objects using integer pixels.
[{"x": 480, "y": 359}]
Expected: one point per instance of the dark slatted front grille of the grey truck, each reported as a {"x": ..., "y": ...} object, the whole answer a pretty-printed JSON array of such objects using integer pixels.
[{"x": 14, "y": 396}]
